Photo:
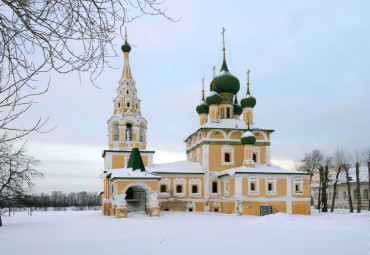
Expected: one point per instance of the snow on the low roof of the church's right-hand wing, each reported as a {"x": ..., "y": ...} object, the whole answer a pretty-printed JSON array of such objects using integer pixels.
[{"x": 259, "y": 169}]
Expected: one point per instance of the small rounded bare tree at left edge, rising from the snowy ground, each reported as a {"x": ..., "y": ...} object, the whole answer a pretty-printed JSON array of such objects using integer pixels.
[{"x": 17, "y": 170}]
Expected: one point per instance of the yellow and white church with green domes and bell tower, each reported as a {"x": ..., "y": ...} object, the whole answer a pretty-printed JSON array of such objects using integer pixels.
[{"x": 228, "y": 163}]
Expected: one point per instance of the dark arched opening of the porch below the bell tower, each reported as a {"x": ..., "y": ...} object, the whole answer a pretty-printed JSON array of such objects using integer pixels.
[{"x": 137, "y": 199}]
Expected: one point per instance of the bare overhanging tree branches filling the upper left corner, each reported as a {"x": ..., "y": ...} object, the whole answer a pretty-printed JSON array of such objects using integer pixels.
[{"x": 39, "y": 36}]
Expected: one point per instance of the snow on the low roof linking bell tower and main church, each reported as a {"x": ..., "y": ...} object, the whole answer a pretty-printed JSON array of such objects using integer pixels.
[{"x": 177, "y": 167}]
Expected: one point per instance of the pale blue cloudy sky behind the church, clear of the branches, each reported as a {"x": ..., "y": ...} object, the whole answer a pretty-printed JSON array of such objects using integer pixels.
[{"x": 310, "y": 73}]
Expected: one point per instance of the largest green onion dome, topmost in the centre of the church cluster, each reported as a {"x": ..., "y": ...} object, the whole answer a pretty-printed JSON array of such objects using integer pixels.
[{"x": 225, "y": 82}]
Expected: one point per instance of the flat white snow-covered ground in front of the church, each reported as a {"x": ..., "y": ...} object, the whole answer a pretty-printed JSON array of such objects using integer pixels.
[{"x": 88, "y": 232}]
